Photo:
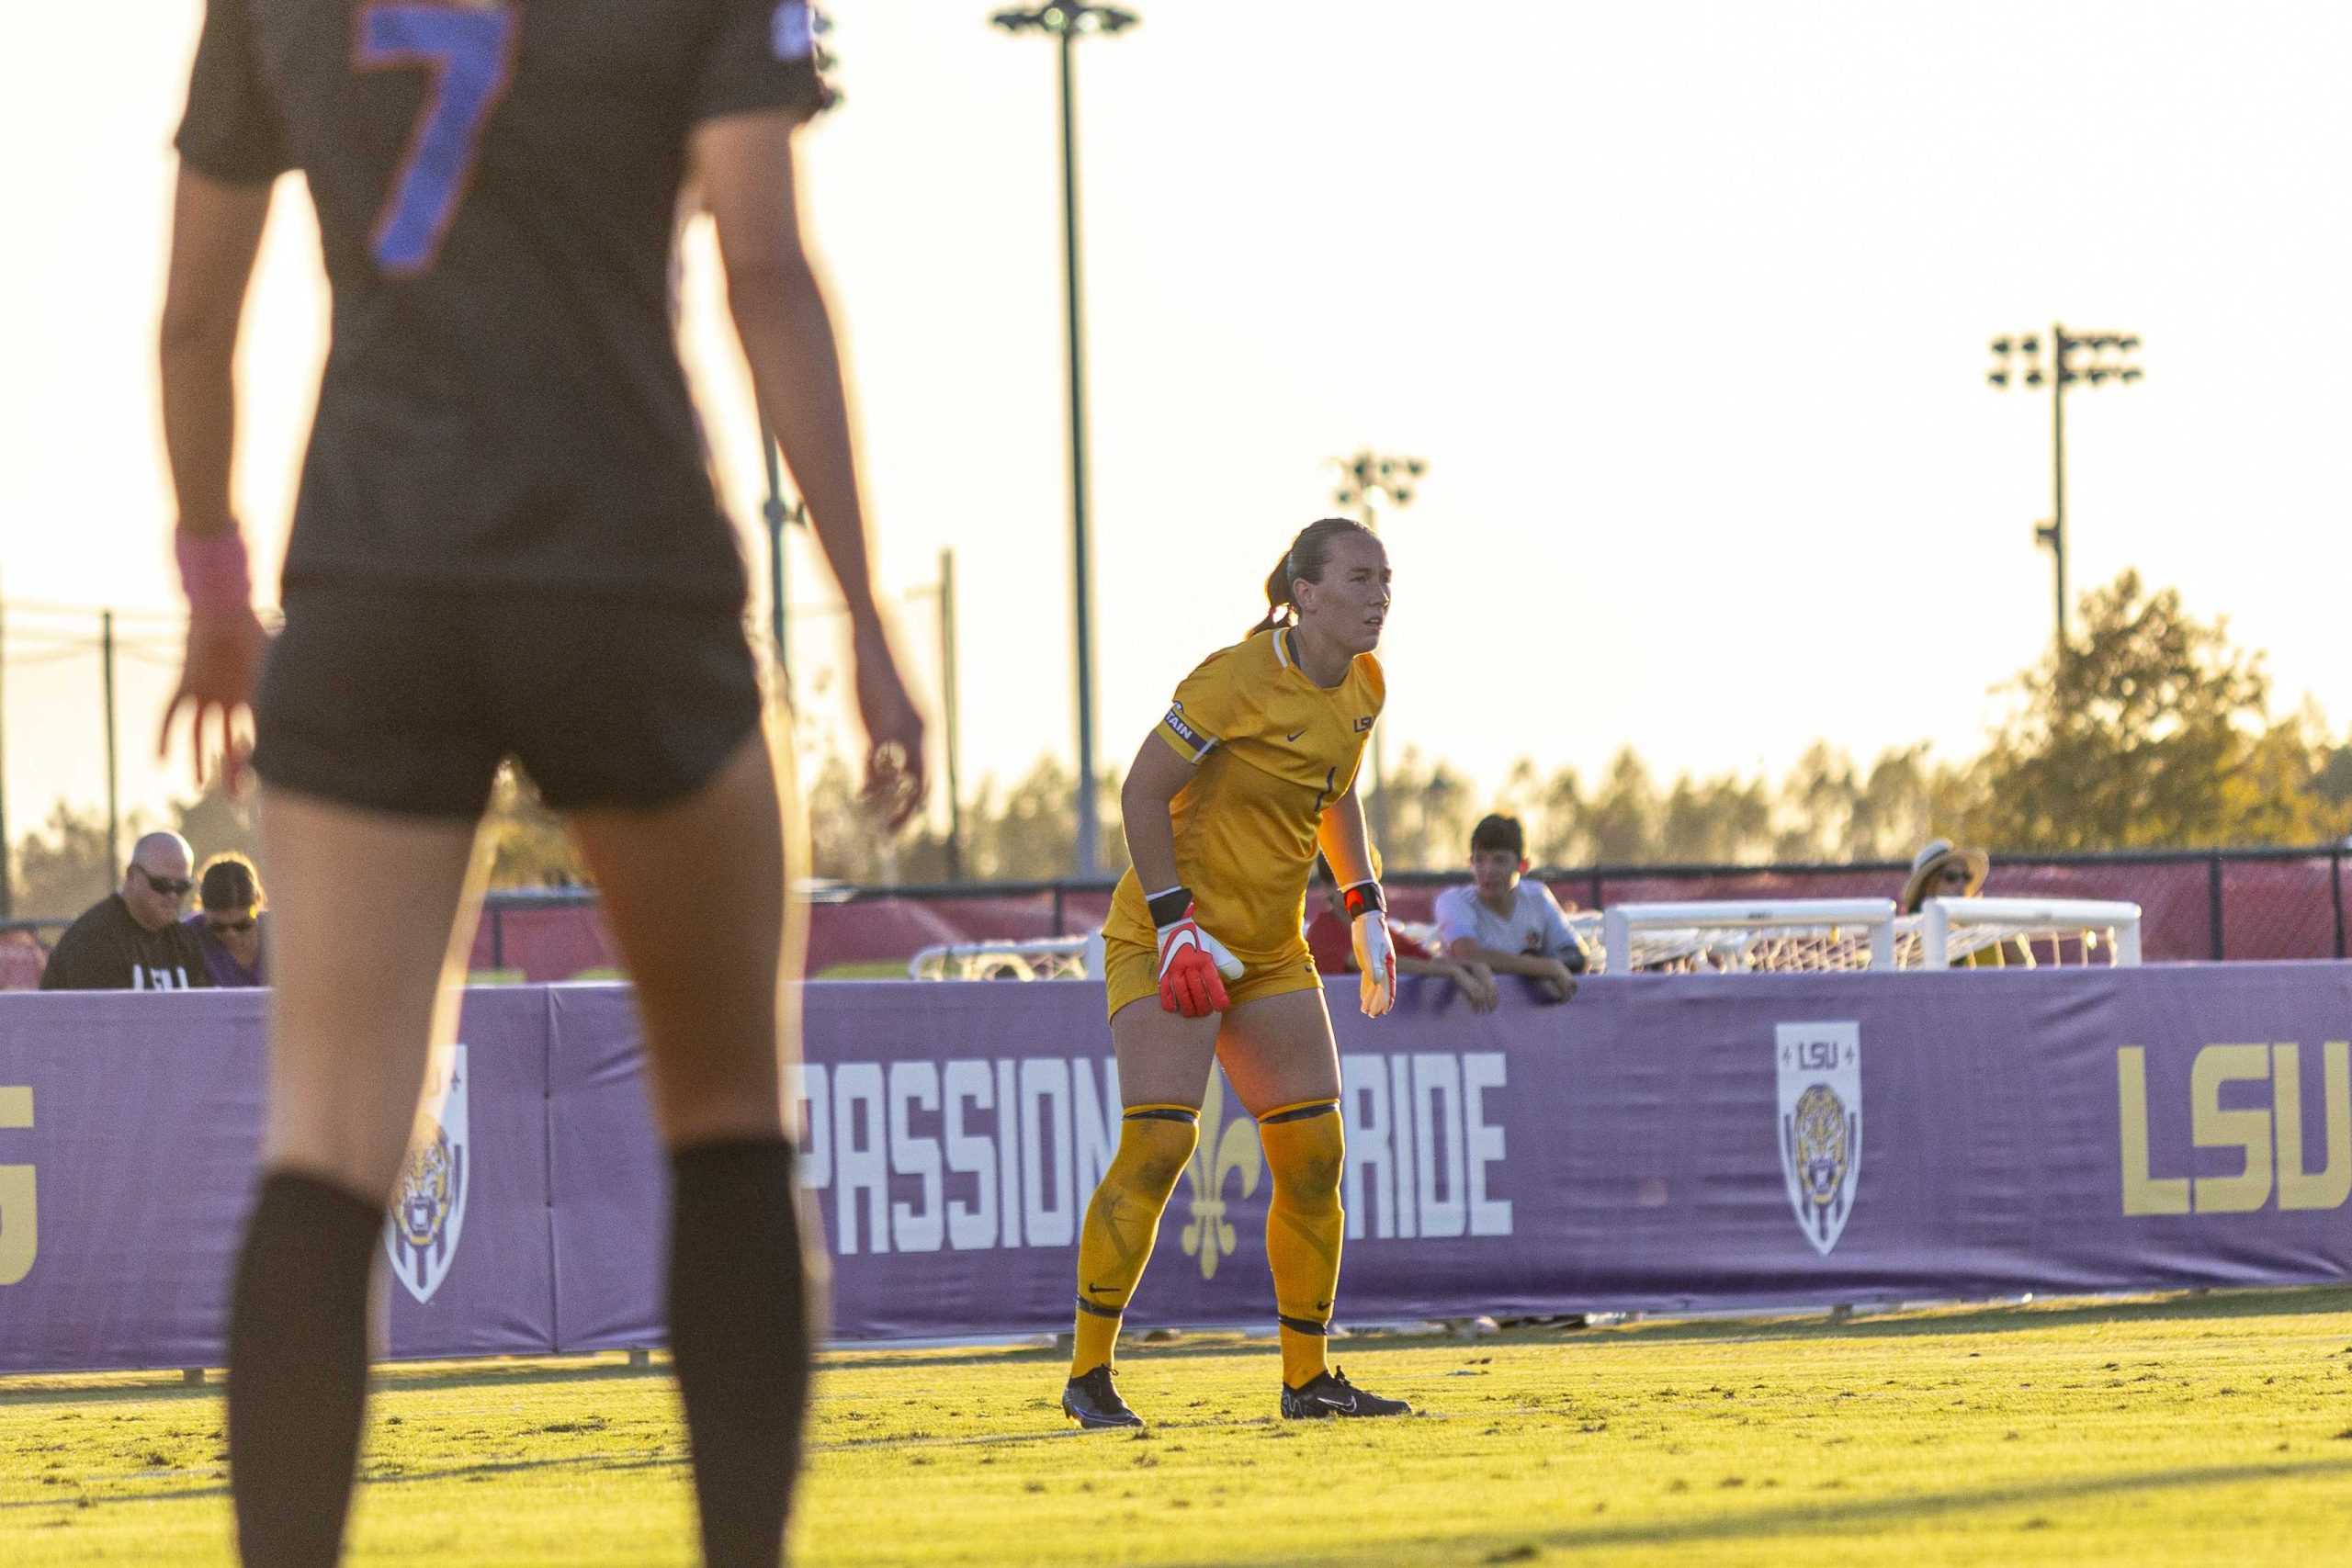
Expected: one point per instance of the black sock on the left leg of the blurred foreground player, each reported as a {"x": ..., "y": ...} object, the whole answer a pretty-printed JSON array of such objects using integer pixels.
[{"x": 298, "y": 1369}]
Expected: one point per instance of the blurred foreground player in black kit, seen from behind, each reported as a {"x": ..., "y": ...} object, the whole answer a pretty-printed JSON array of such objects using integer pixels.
[{"x": 507, "y": 544}]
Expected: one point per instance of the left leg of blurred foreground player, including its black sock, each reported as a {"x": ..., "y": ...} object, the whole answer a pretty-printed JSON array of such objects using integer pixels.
[{"x": 370, "y": 927}]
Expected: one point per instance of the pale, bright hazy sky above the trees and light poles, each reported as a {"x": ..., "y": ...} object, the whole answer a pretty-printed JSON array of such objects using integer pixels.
[{"x": 1685, "y": 307}]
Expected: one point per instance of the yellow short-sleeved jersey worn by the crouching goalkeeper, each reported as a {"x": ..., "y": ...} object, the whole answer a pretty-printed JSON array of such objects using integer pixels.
[{"x": 1271, "y": 751}]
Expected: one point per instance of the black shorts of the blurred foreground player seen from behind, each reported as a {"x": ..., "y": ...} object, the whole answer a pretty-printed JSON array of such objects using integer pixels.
[{"x": 406, "y": 699}]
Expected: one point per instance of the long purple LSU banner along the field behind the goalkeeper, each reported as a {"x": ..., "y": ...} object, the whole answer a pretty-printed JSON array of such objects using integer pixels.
[{"x": 1662, "y": 1144}]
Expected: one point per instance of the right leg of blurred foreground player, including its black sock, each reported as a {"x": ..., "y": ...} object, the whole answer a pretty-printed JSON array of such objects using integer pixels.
[{"x": 697, "y": 897}]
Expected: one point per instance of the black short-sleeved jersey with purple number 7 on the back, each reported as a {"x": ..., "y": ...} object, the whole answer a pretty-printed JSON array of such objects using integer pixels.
[{"x": 497, "y": 196}]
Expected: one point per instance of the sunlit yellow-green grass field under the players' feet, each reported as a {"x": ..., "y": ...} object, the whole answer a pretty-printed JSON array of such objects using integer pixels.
[{"x": 2167, "y": 1430}]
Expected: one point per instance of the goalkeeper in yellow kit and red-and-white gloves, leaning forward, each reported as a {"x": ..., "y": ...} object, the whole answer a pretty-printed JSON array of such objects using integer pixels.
[{"x": 1205, "y": 956}]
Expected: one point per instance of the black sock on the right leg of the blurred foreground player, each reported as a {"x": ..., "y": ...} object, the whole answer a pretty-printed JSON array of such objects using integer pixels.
[{"x": 740, "y": 1334}]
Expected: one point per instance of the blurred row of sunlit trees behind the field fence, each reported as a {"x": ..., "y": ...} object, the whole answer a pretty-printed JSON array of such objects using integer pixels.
[{"x": 2151, "y": 732}]
